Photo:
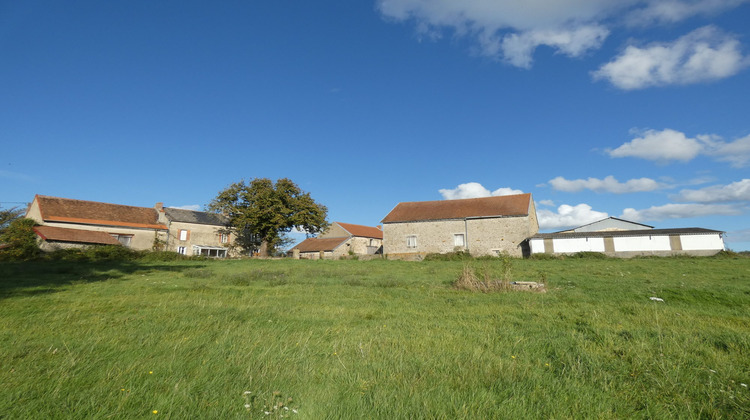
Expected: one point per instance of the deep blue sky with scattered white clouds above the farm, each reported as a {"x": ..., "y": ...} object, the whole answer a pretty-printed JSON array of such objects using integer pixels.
[{"x": 629, "y": 108}]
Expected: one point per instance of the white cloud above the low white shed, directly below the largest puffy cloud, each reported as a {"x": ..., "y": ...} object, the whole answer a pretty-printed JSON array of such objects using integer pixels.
[{"x": 668, "y": 144}]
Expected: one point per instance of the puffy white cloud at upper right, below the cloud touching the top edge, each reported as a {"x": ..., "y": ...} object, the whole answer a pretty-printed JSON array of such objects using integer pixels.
[{"x": 703, "y": 55}]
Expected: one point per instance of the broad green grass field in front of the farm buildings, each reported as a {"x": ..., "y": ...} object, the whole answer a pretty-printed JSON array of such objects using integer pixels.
[{"x": 374, "y": 339}]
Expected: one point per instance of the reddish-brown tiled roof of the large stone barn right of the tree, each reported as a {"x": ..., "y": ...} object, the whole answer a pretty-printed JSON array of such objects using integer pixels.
[{"x": 502, "y": 206}]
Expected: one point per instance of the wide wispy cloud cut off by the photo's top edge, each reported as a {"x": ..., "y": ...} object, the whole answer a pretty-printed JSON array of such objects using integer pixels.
[{"x": 512, "y": 30}]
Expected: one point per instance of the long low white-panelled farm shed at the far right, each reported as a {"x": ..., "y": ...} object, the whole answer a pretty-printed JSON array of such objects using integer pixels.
[{"x": 622, "y": 238}]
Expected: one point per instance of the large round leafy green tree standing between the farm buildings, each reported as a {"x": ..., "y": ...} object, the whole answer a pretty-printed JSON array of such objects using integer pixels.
[{"x": 261, "y": 211}]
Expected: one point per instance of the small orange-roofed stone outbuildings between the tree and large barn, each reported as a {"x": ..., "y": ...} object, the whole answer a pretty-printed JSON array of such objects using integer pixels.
[{"x": 339, "y": 240}]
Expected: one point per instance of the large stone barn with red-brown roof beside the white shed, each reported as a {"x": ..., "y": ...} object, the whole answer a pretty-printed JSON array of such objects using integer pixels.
[{"x": 480, "y": 226}]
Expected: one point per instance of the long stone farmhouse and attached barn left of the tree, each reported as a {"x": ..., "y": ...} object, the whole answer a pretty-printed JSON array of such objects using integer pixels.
[{"x": 69, "y": 223}]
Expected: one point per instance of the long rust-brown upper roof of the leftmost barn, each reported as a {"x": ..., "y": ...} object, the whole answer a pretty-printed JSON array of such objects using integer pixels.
[{"x": 55, "y": 209}]
